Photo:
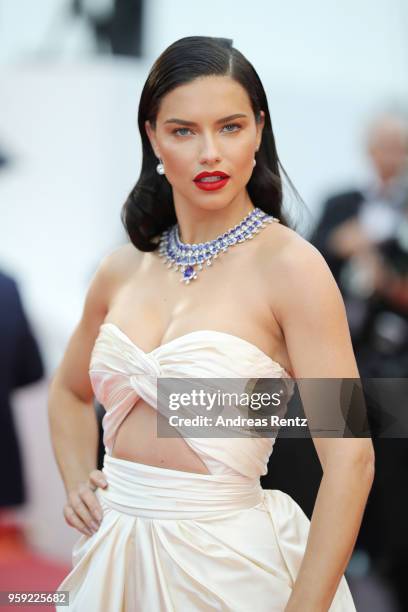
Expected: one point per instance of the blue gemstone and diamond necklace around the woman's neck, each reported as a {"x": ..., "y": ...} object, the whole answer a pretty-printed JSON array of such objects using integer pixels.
[{"x": 177, "y": 254}]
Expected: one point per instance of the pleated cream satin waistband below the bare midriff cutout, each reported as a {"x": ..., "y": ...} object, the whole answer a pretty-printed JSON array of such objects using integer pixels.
[{"x": 159, "y": 493}]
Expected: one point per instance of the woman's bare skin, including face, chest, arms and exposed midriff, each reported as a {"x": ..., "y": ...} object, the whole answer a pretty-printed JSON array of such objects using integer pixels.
[{"x": 308, "y": 336}]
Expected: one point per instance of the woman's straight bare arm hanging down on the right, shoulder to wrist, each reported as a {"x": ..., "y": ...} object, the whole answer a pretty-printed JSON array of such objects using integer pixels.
[{"x": 312, "y": 316}]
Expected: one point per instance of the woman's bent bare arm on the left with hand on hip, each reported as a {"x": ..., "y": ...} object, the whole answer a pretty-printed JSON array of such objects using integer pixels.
[{"x": 72, "y": 418}]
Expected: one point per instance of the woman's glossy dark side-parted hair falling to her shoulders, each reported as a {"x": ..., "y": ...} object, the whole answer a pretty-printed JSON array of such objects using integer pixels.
[{"x": 149, "y": 208}]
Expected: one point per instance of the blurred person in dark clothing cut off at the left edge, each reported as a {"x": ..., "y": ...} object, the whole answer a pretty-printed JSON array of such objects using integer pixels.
[{"x": 20, "y": 365}]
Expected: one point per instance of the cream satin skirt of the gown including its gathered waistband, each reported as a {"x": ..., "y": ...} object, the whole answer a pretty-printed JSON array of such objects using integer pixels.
[{"x": 229, "y": 545}]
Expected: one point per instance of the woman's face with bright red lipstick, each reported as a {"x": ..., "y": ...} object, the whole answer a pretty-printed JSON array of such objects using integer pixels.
[{"x": 207, "y": 125}]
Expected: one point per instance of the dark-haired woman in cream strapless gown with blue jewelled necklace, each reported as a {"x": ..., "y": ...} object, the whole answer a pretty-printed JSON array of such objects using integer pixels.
[{"x": 175, "y": 523}]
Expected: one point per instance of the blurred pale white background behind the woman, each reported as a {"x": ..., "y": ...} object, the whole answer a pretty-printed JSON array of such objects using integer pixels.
[{"x": 70, "y": 126}]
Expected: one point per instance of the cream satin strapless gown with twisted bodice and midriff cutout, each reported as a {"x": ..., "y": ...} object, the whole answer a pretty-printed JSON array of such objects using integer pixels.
[{"x": 171, "y": 540}]
